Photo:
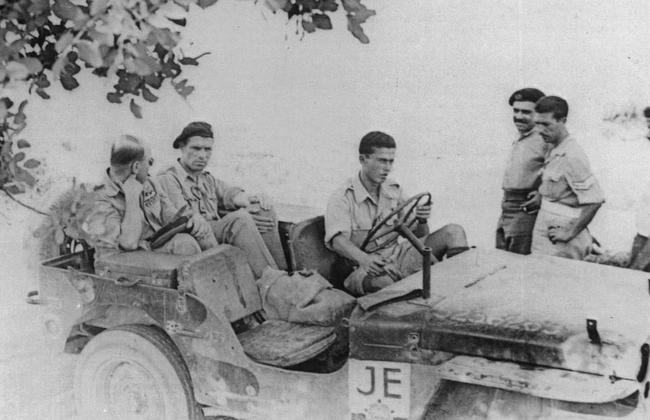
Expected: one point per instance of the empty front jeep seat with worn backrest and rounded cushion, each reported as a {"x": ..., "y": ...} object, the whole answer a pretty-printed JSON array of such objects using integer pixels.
[{"x": 223, "y": 280}]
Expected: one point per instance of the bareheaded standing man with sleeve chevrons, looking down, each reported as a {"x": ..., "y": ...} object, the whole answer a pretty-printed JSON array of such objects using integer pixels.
[{"x": 570, "y": 193}]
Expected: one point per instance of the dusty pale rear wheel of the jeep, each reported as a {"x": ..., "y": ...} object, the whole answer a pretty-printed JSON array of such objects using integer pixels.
[{"x": 133, "y": 372}]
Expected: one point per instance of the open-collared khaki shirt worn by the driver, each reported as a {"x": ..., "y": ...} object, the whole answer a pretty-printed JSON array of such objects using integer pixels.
[{"x": 352, "y": 212}]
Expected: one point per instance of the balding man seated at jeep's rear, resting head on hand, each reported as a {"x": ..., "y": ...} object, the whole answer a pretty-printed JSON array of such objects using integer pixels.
[{"x": 130, "y": 207}]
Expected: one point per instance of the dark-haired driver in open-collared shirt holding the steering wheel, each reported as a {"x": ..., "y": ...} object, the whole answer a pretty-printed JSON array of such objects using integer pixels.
[{"x": 362, "y": 204}]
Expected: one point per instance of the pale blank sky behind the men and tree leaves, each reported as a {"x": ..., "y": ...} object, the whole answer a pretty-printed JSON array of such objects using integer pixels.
[{"x": 436, "y": 75}]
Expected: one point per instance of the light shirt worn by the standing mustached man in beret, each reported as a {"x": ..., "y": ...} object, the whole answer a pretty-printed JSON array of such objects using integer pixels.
[{"x": 525, "y": 162}]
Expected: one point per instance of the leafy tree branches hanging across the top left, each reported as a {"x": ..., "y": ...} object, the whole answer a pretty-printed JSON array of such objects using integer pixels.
[{"x": 134, "y": 42}]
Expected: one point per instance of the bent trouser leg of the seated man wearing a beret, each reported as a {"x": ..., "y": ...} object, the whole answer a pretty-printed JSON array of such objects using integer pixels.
[{"x": 238, "y": 228}]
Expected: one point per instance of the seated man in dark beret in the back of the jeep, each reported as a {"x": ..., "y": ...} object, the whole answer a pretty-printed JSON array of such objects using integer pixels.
[{"x": 236, "y": 217}]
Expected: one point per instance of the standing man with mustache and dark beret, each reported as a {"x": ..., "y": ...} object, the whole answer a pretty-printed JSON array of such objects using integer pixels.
[{"x": 522, "y": 176}]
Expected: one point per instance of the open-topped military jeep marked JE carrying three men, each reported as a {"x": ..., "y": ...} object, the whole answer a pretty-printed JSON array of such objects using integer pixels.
[{"x": 491, "y": 335}]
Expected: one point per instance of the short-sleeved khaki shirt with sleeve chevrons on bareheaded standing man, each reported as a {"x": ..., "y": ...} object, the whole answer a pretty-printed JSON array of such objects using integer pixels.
[{"x": 567, "y": 178}]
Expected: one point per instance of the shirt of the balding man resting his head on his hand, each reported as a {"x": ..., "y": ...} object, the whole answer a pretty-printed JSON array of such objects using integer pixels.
[{"x": 103, "y": 225}]
